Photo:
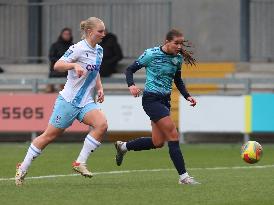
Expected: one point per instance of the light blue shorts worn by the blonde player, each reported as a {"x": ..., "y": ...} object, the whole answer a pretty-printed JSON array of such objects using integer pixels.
[{"x": 64, "y": 113}]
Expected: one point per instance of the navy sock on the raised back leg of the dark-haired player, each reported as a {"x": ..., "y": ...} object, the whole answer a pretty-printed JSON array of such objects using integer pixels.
[{"x": 143, "y": 143}]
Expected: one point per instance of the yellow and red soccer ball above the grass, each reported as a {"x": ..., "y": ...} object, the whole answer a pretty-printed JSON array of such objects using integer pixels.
[{"x": 251, "y": 152}]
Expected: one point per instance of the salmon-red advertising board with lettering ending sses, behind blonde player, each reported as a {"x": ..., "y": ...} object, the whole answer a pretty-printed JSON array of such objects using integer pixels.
[{"x": 29, "y": 112}]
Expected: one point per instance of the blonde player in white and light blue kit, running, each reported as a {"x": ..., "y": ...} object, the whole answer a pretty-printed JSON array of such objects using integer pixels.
[{"x": 75, "y": 101}]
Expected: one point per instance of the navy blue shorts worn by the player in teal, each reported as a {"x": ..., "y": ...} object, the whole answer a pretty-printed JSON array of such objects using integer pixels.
[{"x": 156, "y": 106}]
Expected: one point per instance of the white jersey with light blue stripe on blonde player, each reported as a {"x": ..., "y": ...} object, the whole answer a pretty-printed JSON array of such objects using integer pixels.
[{"x": 80, "y": 91}]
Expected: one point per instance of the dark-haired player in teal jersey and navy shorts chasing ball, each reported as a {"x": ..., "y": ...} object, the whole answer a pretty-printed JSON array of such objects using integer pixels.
[{"x": 163, "y": 65}]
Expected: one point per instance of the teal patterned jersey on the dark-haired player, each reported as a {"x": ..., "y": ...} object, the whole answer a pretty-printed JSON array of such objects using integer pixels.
[{"x": 160, "y": 69}]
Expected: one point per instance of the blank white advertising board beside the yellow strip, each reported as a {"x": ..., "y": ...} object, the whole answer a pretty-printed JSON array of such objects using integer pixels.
[{"x": 213, "y": 114}]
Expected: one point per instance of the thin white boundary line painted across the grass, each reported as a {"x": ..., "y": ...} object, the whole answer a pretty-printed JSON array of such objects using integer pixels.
[{"x": 145, "y": 170}]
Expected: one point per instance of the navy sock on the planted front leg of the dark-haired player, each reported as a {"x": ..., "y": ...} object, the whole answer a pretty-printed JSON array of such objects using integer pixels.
[{"x": 176, "y": 156}]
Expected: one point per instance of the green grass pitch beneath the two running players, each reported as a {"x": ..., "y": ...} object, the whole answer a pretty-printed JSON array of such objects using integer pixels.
[{"x": 145, "y": 178}]
